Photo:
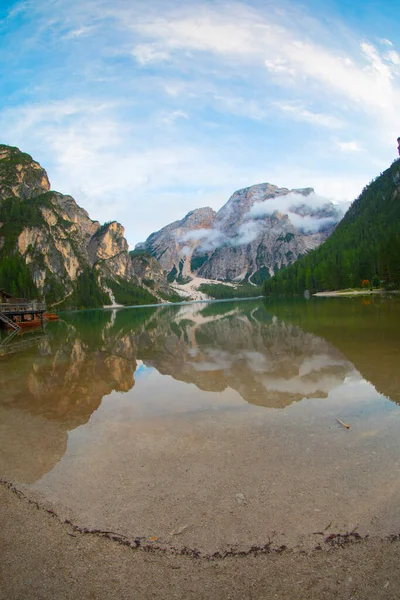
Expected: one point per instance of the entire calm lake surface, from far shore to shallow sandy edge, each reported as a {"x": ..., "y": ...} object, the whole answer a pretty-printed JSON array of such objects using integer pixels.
[{"x": 211, "y": 425}]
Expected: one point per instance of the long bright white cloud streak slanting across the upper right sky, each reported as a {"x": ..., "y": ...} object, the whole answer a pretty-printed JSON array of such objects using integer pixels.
[{"x": 250, "y": 36}]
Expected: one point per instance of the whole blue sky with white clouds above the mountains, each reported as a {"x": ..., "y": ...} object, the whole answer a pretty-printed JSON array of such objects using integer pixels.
[{"x": 143, "y": 110}]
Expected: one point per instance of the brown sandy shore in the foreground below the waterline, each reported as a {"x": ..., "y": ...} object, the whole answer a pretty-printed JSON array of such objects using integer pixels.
[{"x": 45, "y": 558}]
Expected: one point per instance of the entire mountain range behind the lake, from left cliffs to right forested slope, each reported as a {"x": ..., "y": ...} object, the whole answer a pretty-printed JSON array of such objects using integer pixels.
[{"x": 52, "y": 249}]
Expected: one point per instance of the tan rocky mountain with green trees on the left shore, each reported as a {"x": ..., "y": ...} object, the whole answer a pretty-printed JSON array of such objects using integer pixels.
[{"x": 51, "y": 249}]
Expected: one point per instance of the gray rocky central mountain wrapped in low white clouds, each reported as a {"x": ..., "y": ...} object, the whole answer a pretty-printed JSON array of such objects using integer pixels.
[{"x": 260, "y": 229}]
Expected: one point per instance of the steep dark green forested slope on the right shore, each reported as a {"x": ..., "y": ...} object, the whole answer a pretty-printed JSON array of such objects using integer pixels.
[{"x": 363, "y": 250}]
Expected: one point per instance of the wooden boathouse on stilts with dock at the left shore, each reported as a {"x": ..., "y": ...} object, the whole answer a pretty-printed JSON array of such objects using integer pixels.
[{"x": 18, "y": 313}]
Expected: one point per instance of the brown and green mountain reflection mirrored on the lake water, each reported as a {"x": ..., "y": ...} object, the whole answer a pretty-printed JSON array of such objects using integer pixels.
[{"x": 271, "y": 354}]
